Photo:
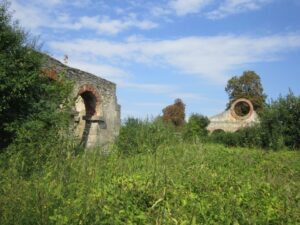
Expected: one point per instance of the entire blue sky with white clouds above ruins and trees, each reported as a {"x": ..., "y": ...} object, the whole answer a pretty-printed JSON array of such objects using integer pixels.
[{"x": 157, "y": 51}]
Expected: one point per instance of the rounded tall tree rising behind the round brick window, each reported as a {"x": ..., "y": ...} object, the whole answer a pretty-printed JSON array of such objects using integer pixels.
[{"x": 248, "y": 86}]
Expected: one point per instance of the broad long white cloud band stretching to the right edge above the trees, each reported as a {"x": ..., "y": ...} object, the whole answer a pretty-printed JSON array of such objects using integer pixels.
[{"x": 211, "y": 58}]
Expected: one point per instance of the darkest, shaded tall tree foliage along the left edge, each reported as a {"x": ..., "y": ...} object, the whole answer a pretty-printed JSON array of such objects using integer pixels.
[{"x": 19, "y": 76}]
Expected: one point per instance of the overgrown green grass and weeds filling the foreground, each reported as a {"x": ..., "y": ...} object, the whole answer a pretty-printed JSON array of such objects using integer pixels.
[{"x": 180, "y": 184}]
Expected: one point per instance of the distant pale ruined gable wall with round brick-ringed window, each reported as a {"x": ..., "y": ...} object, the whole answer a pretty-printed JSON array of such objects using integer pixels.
[{"x": 229, "y": 121}]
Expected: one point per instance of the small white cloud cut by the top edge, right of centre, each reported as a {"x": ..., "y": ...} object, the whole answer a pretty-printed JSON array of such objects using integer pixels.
[{"x": 183, "y": 7}]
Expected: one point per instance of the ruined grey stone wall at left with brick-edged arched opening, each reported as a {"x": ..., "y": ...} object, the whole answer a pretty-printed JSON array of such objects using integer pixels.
[{"x": 96, "y": 110}]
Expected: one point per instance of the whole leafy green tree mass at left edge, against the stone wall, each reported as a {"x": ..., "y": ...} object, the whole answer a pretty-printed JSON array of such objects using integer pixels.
[{"x": 29, "y": 101}]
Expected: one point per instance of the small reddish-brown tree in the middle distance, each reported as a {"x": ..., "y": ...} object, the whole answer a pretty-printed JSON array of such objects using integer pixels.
[{"x": 175, "y": 113}]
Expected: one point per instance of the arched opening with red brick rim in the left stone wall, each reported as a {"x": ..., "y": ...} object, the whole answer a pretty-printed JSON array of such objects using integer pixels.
[{"x": 87, "y": 107}]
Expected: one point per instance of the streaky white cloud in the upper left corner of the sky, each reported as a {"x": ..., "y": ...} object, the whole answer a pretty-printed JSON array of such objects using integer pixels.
[{"x": 47, "y": 14}]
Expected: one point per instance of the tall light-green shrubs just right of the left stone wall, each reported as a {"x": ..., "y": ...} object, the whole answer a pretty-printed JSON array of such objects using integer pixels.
[{"x": 137, "y": 136}]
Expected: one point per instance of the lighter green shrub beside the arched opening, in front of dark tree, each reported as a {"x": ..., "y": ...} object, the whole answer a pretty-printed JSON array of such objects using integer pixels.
[{"x": 44, "y": 131}]
